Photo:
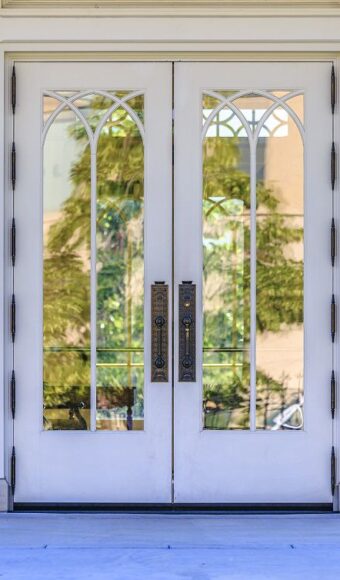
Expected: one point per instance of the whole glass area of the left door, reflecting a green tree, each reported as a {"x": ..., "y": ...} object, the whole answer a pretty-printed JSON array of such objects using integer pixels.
[{"x": 119, "y": 264}]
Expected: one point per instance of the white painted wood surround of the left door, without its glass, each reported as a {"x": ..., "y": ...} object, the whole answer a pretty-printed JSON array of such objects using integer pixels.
[{"x": 89, "y": 466}]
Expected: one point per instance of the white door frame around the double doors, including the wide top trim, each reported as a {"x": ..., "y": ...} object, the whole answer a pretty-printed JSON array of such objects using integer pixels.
[{"x": 315, "y": 36}]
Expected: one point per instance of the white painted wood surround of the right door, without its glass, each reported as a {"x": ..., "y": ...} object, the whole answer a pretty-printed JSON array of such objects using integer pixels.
[{"x": 244, "y": 466}]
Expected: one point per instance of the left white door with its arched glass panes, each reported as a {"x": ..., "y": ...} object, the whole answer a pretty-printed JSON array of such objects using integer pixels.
[{"x": 93, "y": 221}]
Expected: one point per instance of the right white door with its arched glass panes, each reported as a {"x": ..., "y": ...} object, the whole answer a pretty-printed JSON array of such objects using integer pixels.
[{"x": 252, "y": 216}]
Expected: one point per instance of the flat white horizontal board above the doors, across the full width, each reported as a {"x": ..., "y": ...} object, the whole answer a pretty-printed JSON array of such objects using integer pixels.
[{"x": 283, "y": 33}]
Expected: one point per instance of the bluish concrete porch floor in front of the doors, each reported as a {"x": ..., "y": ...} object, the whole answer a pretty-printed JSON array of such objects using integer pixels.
[{"x": 169, "y": 547}]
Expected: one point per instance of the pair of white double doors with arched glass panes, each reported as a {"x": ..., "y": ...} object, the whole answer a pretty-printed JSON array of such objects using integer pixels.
[{"x": 172, "y": 283}]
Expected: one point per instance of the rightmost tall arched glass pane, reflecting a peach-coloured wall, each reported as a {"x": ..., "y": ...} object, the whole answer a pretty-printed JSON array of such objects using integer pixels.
[{"x": 280, "y": 209}]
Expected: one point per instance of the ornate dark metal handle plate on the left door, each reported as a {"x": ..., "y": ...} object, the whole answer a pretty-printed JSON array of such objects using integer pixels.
[{"x": 159, "y": 333}]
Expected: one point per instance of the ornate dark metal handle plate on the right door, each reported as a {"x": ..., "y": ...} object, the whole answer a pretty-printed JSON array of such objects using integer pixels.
[{"x": 187, "y": 332}]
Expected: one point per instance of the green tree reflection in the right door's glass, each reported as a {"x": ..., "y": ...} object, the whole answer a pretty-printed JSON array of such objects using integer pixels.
[{"x": 279, "y": 281}]
